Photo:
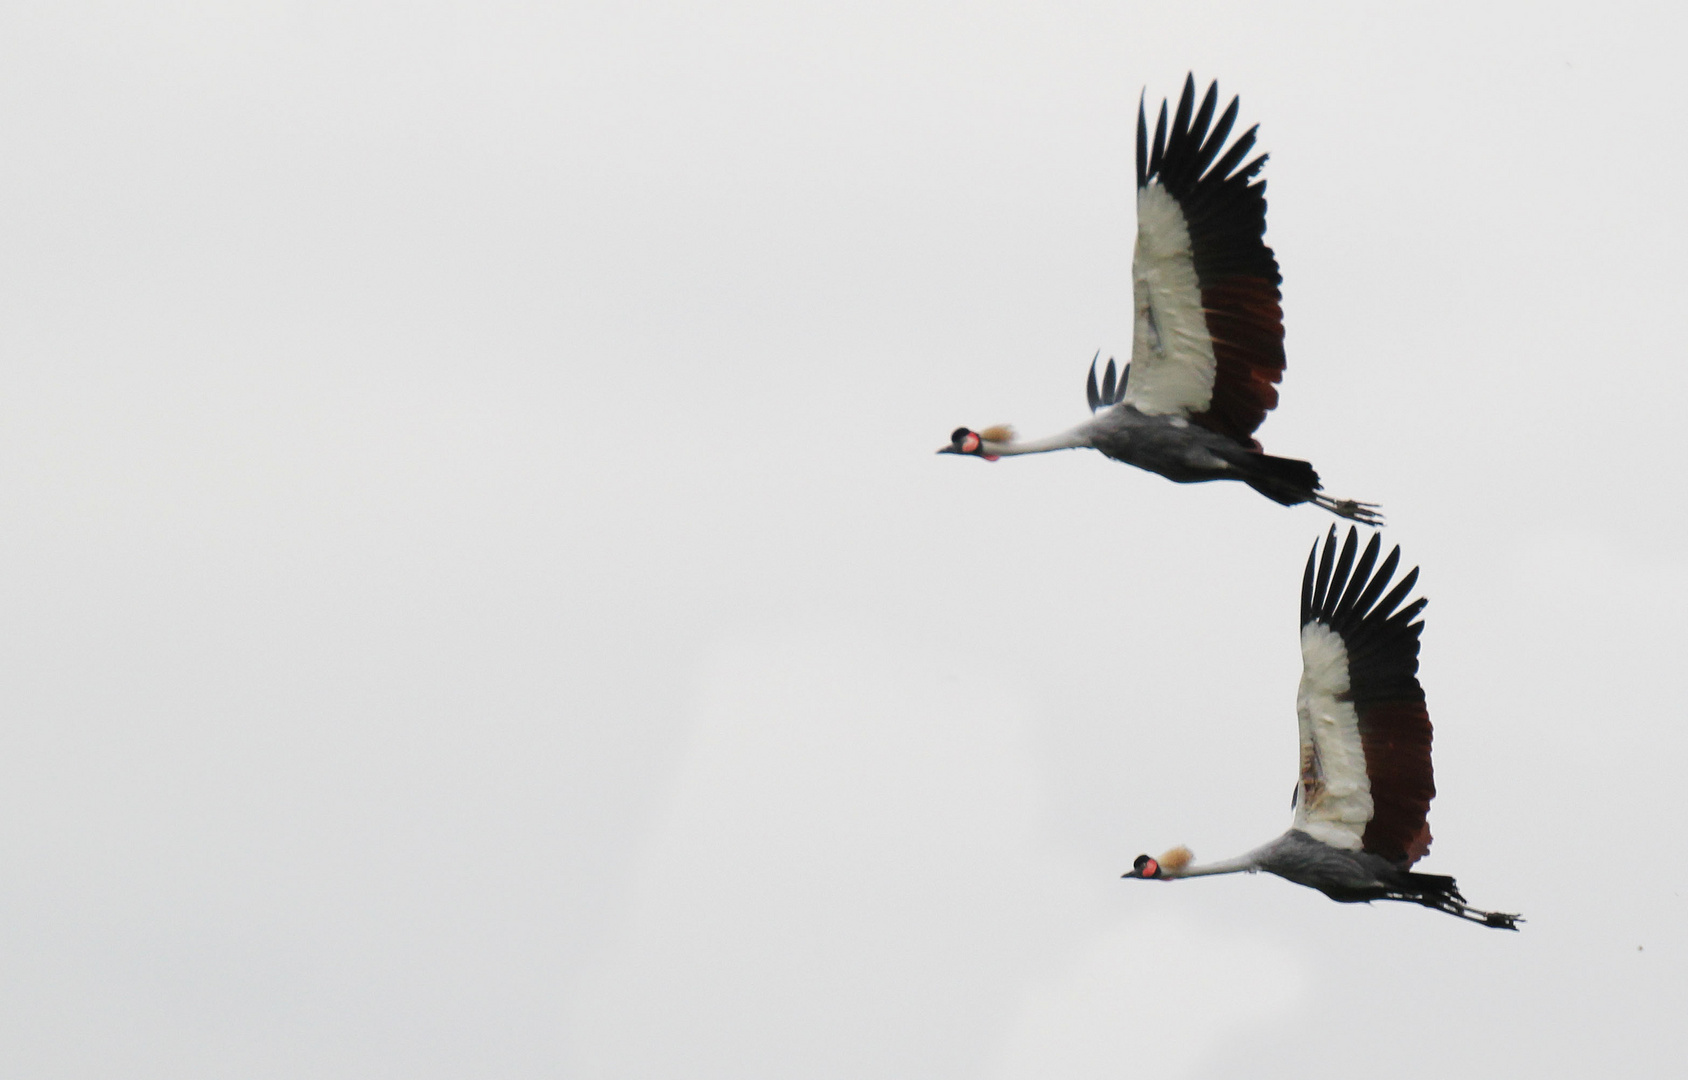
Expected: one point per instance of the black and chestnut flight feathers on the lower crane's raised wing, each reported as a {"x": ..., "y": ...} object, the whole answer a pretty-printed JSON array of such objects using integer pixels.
[{"x": 1382, "y": 644}]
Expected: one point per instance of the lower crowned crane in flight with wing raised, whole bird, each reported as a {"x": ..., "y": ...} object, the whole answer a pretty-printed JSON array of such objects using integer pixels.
[{"x": 1366, "y": 780}]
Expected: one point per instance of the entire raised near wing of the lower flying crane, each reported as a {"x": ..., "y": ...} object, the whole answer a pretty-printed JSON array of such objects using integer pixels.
[{"x": 1366, "y": 779}]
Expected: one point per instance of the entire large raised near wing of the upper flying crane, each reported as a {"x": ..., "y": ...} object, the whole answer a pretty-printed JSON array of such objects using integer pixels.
[{"x": 1209, "y": 327}]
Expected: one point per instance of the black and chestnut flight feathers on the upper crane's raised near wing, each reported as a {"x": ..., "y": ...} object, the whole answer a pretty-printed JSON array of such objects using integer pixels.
[{"x": 1225, "y": 210}]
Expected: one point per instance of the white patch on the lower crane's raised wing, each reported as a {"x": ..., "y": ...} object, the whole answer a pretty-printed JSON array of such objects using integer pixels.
[{"x": 1334, "y": 802}]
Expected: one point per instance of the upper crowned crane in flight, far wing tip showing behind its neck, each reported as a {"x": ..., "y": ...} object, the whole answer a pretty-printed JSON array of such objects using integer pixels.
[{"x": 1208, "y": 350}]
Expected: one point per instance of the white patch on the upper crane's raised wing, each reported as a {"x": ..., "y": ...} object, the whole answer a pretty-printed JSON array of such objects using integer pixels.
[{"x": 1172, "y": 355}]
